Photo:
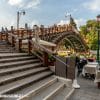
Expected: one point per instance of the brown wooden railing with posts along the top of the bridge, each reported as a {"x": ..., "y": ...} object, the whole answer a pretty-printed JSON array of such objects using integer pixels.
[{"x": 42, "y": 32}]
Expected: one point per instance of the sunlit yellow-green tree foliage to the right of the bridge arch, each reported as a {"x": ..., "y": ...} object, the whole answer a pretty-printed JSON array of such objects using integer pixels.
[{"x": 89, "y": 32}]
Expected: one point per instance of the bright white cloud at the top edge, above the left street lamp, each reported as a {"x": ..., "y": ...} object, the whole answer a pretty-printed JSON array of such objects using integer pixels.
[{"x": 24, "y": 3}]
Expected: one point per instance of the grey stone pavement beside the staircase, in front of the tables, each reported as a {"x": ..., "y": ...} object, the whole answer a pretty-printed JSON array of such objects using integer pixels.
[{"x": 88, "y": 90}]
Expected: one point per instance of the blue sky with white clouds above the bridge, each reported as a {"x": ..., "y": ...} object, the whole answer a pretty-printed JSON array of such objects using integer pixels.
[{"x": 47, "y": 12}]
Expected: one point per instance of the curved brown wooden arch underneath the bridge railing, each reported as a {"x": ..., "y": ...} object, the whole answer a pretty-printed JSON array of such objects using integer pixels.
[{"x": 73, "y": 38}]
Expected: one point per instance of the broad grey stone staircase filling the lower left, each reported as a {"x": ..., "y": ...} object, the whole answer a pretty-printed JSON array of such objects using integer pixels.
[{"x": 23, "y": 77}]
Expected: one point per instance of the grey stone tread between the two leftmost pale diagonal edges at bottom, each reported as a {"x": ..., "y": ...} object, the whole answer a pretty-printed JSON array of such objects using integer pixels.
[{"x": 44, "y": 91}]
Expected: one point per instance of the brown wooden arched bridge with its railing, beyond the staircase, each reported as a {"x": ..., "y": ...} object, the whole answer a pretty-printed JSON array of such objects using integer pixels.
[{"x": 52, "y": 34}]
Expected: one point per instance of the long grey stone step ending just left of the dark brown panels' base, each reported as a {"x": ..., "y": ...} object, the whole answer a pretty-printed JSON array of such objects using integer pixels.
[{"x": 16, "y": 85}]
